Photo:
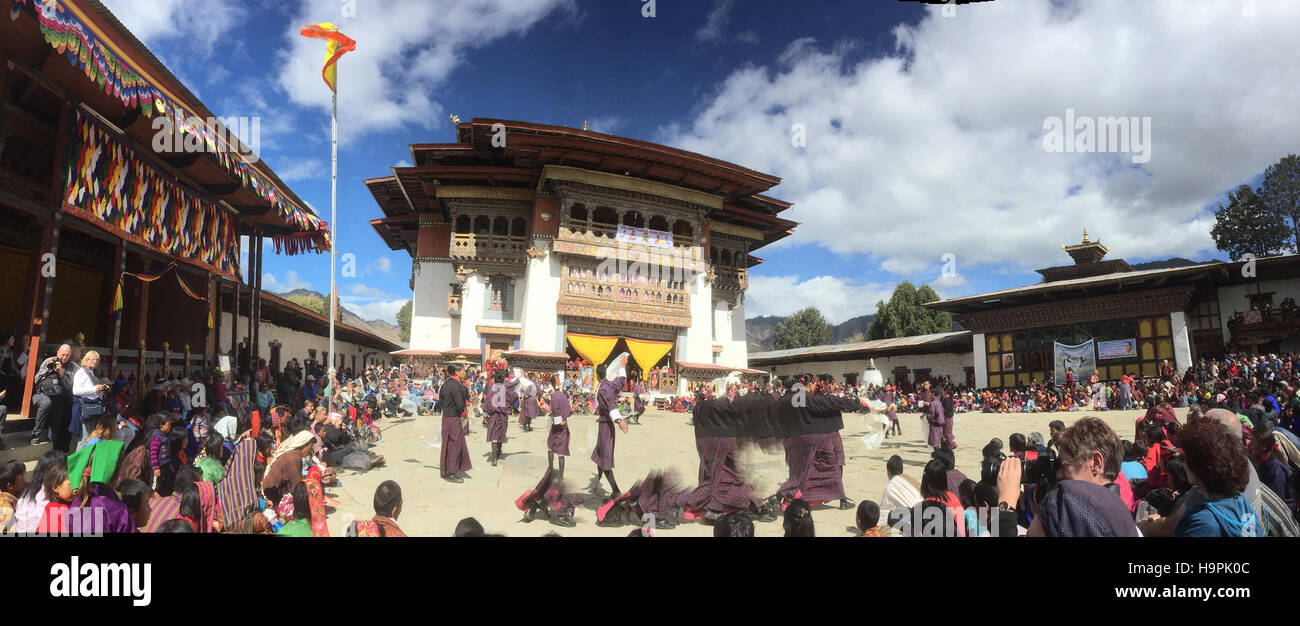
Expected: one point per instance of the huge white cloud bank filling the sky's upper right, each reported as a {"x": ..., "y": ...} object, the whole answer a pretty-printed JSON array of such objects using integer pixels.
[{"x": 939, "y": 147}]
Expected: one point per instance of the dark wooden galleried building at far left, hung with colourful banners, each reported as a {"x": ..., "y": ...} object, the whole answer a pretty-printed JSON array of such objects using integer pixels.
[{"x": 94, "y": 206}]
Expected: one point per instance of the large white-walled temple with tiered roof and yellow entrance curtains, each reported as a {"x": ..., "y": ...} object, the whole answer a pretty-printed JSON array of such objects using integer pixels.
[{"x": 538, "y": 245}]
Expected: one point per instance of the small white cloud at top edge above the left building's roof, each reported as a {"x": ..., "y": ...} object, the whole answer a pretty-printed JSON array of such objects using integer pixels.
[{"x": 201, "y": 27}]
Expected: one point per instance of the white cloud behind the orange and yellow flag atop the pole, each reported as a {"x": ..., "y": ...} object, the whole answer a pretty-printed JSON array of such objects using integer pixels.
[{"x": 404, "y": 51}]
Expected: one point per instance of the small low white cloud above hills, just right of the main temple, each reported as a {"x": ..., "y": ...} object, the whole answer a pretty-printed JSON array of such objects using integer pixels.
[{"x": 837, "y": 298}]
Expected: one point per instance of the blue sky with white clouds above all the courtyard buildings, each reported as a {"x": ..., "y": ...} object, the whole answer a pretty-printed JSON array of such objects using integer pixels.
[{"x": 925, "y": 131}]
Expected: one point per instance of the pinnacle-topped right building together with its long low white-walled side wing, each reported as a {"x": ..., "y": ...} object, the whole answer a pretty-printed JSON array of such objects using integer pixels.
[{"x": 1117, "y": 318}]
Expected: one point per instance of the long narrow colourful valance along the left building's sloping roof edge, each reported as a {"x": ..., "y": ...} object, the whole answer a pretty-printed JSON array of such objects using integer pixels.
[{"x": 68, "y": 31}]
